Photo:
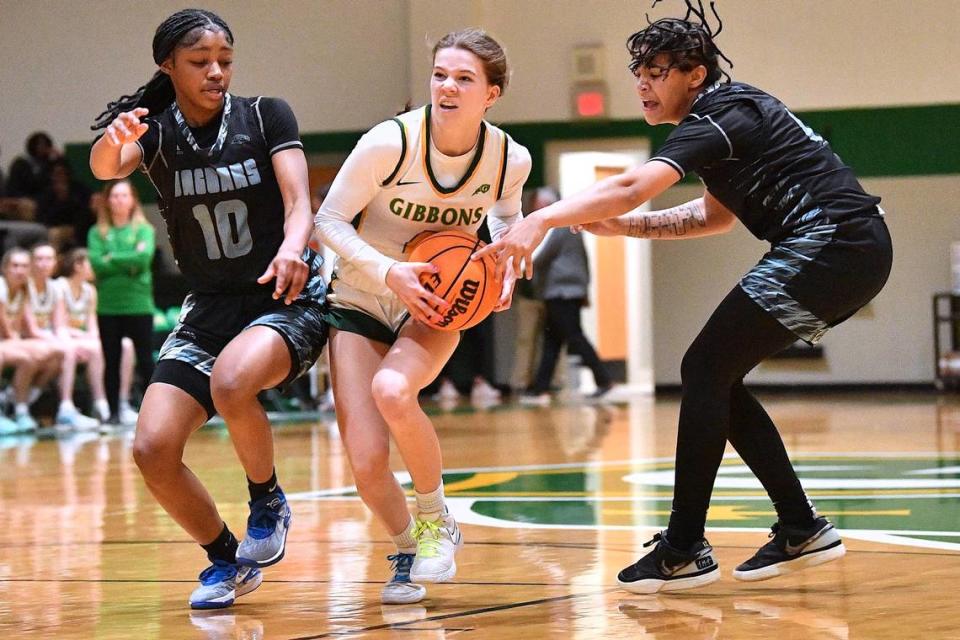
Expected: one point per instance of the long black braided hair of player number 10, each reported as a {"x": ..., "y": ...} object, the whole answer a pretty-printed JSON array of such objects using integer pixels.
[{"x": 182, "y": 29}]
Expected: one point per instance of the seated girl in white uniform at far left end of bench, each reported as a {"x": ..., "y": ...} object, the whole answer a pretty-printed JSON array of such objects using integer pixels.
[{"x": 36, "y": 362}]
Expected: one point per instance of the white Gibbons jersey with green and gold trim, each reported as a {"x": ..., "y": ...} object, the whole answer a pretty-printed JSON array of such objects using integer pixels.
[{"x": 411, "y": 202}]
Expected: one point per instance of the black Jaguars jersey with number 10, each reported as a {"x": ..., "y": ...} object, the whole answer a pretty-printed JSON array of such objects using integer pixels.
[{"x": 221, "y": 203}]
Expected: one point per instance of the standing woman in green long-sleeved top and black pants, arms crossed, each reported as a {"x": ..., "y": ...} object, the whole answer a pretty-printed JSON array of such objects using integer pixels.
[{"x": 121, "y": 247}]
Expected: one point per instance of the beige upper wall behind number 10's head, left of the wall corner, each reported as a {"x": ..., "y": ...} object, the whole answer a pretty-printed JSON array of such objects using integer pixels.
[{"x": 340, "y": 63}]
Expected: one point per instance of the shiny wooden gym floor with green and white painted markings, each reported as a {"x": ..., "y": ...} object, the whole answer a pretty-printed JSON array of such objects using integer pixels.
[{"x": 553, "y": 502}]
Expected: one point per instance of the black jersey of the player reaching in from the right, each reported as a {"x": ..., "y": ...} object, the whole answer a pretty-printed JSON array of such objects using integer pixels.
[{"x": 763, "y": 163}]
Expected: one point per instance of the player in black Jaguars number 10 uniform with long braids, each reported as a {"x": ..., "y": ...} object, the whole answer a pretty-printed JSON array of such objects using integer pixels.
[{"x": 232, "y": 181}]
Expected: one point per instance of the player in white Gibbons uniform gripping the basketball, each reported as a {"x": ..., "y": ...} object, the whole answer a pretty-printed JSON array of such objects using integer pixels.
[{"x": 439, "y": 167}]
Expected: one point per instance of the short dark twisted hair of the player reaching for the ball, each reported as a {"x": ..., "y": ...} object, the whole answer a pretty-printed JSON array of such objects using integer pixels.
[{"x": 689, "y": 43}]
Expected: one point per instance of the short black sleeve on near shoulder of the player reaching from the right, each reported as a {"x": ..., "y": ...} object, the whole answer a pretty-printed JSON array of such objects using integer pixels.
[{"x": 729, "y": 131}]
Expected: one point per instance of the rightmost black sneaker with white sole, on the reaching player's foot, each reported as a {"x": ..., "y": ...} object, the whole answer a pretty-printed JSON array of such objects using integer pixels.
[{"x": 793, "y": 549}]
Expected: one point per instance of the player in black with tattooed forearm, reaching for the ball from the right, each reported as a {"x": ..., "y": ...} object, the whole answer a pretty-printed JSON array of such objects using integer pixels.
[{"x": 830, "y": 254}]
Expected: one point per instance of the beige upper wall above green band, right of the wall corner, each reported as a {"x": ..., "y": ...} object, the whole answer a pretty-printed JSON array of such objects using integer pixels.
[{"x": 812, "y": 54}]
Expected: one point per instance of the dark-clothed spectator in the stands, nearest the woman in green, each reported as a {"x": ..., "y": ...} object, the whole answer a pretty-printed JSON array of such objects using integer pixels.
[{"x": 64, "y": 208}]
